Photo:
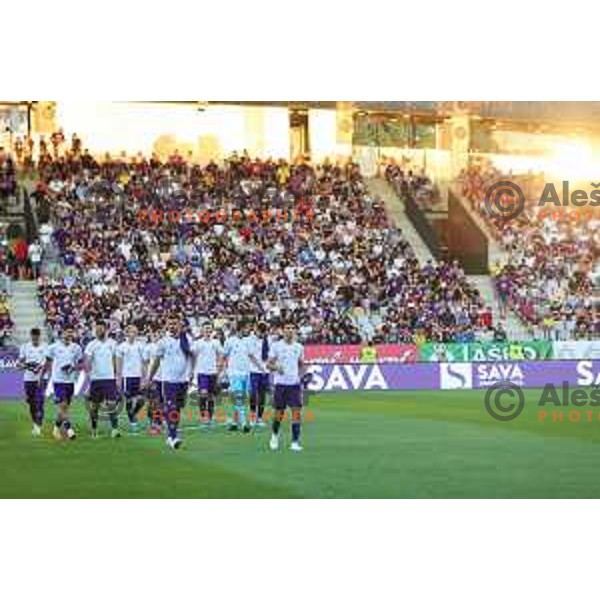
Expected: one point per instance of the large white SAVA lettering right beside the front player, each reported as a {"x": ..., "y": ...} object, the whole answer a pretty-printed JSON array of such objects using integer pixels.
[{"x": 347, "y": 377}]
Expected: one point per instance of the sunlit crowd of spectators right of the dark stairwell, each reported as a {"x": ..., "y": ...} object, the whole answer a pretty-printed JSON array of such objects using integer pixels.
[{"x": 548, "y": 275}]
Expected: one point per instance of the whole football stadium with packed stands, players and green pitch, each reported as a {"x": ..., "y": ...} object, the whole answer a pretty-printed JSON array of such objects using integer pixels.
[{"x": 302, "y": 299}]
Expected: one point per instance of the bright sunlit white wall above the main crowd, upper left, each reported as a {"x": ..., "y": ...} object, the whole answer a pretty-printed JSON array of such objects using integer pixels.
[{"x": 203, "y": 132}]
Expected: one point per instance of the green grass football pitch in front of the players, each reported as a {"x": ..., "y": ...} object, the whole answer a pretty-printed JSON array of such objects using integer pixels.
[{"x": 360, "y": 445}]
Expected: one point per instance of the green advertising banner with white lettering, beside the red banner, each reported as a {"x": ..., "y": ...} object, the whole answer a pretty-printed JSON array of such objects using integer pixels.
[{"x": 485, "y": 352}]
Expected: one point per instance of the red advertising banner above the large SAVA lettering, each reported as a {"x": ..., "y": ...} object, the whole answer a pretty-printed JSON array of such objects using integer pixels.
[{"x": 345, "y": 354}]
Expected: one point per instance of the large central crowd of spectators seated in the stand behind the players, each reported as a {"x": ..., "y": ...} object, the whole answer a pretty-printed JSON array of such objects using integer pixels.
[{"x": 343, "y": 275}]
